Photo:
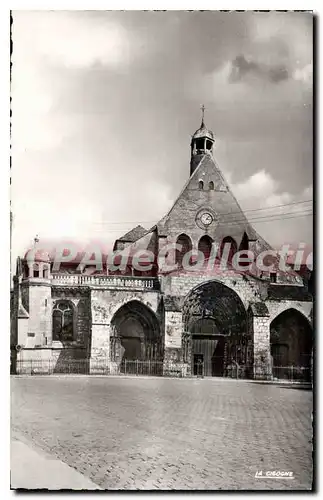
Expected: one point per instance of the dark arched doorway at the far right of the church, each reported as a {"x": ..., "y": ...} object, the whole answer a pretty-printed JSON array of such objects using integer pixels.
[{"x": 291, "y": 342}]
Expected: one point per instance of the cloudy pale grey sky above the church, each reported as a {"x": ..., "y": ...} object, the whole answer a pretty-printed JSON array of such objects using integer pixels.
[{"x": 104, "y": 105}]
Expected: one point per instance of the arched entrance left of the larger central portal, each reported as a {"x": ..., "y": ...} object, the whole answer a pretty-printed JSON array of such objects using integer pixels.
[{"x": 135, "y": 334}]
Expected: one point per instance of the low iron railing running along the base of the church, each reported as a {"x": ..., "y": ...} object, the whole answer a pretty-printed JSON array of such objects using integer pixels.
[{"x": 156, "y": 368}]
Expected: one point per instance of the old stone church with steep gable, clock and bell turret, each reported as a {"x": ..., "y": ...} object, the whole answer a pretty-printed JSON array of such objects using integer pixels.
[{"x": 182, "y": 321}]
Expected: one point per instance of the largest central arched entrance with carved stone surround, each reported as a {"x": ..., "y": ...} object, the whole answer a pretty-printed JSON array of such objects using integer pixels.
[{"x": 215, "y": 331}]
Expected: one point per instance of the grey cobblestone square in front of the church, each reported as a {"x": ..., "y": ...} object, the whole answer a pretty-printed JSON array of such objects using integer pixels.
[{"x": 150, "y": 433}]
